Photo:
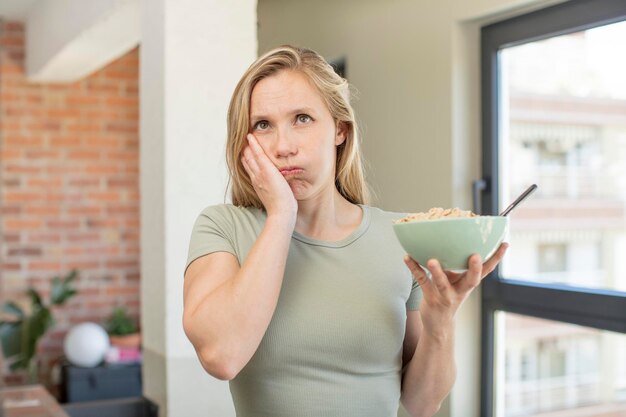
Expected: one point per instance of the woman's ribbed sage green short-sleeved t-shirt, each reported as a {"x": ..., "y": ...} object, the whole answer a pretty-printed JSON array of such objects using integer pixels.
[{"x": 334, "y": 345}]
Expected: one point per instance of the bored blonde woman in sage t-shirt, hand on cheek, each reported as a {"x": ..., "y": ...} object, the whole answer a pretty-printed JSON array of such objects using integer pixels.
[{"x": 296, "y": 293}]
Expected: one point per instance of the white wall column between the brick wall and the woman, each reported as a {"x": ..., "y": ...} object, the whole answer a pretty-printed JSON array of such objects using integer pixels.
[{"x": 192, "y": 55}]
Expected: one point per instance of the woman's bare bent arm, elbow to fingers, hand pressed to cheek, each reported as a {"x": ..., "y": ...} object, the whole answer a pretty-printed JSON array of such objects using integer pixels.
[{"x": 227, "y": 308}]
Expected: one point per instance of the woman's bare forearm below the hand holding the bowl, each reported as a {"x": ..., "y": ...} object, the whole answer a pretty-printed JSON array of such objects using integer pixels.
[{"x": 430, "y": 374}]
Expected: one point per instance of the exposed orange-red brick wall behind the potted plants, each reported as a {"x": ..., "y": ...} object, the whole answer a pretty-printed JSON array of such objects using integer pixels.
[{"x": 69, "y": 194}]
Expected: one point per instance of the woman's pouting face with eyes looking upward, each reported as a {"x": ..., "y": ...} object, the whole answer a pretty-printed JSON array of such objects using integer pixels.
[{"x": 297, "y": 132}]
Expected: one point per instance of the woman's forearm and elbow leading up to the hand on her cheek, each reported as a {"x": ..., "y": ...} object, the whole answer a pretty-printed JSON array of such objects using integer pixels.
[{"x": 227, "y": 326}]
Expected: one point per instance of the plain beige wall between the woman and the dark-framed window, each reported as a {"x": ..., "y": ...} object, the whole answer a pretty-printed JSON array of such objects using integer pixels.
[{"x": 416, "y": 67}]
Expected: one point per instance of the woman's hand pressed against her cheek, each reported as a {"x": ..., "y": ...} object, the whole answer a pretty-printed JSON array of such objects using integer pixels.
[{"x": 269, "y": 184}]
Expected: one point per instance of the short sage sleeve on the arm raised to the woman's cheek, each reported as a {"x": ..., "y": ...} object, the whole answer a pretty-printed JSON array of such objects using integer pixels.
[{"x": 213, "y": 231}]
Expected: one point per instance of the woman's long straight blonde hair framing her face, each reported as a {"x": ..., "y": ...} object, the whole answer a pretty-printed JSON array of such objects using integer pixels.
[{"x": 334, "y": 90}]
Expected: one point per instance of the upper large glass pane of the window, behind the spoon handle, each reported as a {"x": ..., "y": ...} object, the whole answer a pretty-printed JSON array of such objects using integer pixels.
[{"x": 563, "y": 127}]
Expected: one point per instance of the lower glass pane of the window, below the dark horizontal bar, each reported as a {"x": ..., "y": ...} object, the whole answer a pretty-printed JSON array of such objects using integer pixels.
[{"x": 550, "y": 369}]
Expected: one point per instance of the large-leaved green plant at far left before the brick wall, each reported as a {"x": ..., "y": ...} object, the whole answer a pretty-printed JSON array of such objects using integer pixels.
[{"x": 20, "y": 333}]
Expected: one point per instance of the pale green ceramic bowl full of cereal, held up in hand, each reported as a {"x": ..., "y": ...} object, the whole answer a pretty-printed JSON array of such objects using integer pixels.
[{"x": 452, "y": 240}]
